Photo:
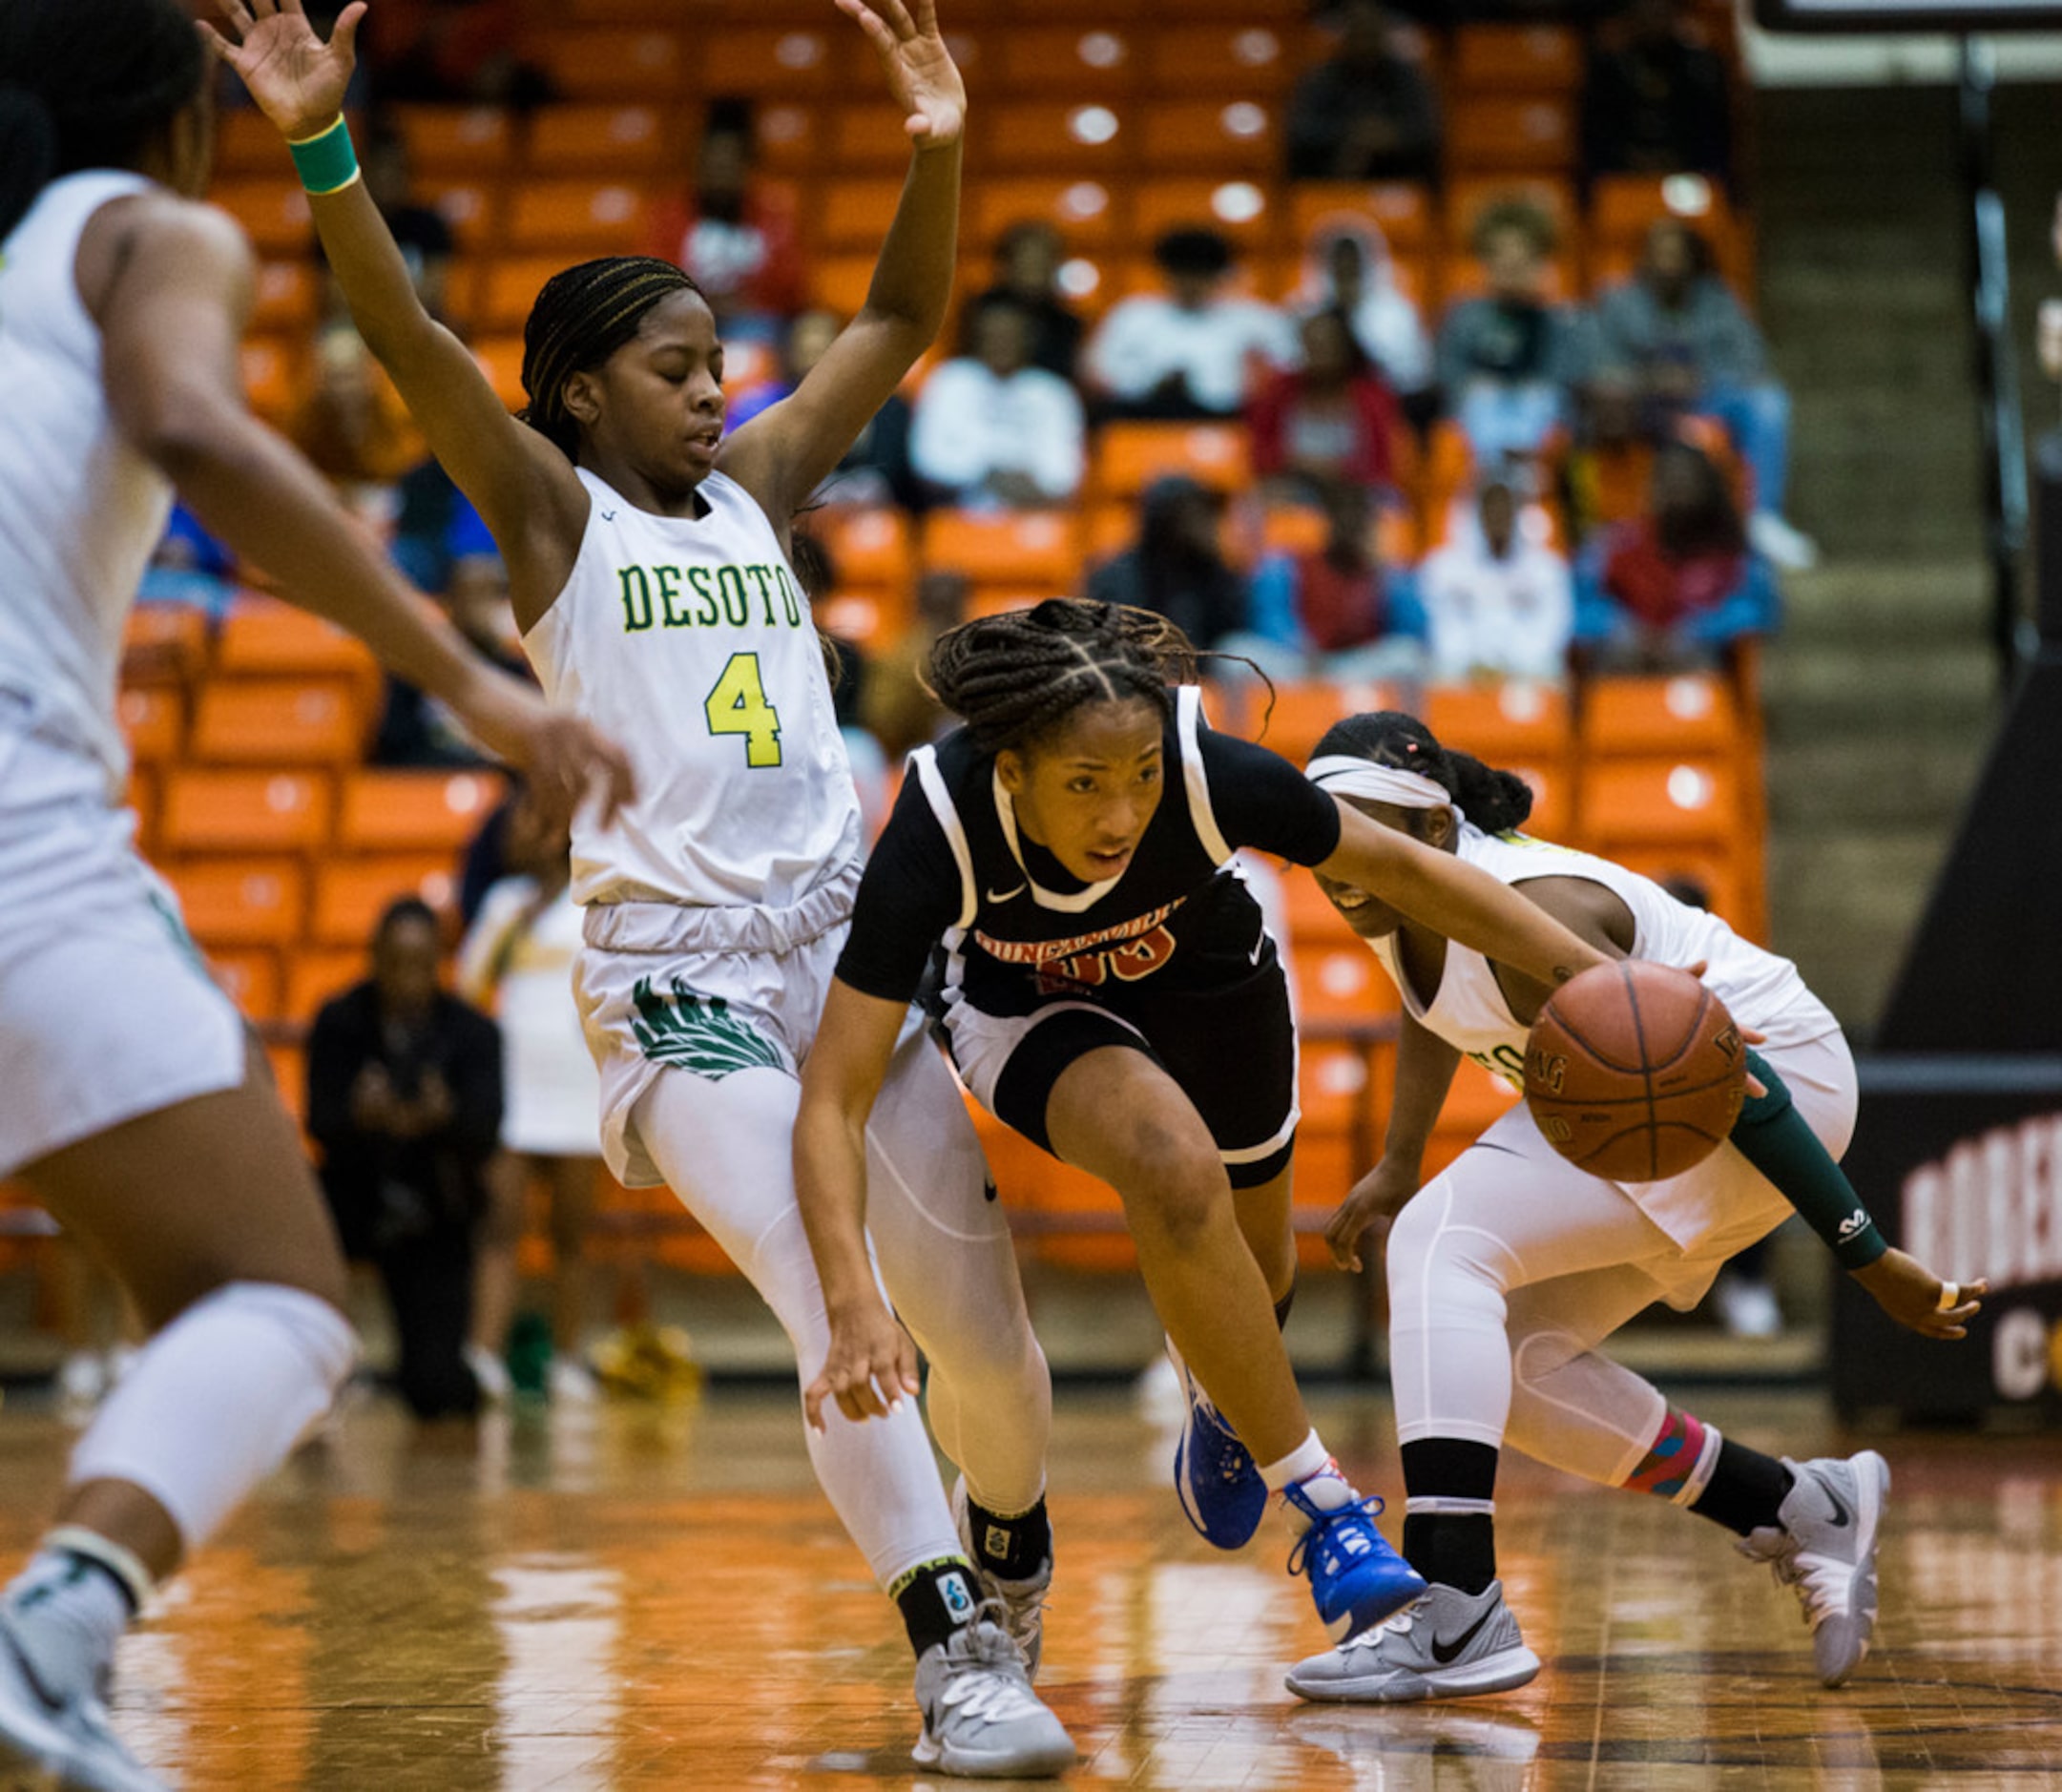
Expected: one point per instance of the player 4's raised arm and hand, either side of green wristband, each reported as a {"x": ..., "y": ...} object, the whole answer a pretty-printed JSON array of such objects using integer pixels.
[{"x": 523, "y": 486}]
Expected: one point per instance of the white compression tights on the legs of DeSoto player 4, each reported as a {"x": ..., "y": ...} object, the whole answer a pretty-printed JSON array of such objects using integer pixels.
[{"x": 945, "y": 1257}]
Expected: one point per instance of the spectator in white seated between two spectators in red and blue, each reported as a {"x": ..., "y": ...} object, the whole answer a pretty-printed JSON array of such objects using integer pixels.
[{"x": 1498, "y": 603}]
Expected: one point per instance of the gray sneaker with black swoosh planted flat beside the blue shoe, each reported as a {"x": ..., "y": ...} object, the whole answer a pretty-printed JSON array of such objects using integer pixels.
[{"x": 1444, "y": 1647}]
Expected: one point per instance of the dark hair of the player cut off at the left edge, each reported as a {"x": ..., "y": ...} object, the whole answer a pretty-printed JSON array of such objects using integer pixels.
[{"x": 88, "y": 88}]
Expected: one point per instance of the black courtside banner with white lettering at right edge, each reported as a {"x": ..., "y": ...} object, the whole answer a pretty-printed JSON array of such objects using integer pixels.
[{"x": 1962, "y": 1164}]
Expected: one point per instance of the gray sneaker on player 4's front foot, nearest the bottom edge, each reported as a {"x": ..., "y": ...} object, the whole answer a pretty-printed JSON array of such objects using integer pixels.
[{"x": 980, "y": 1715}]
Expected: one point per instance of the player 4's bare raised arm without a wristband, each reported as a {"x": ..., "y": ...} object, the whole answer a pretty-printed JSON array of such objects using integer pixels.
[{"x": 791, "y": 449}]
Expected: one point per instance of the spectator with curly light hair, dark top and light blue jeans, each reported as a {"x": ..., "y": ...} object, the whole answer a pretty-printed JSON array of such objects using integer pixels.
[{"x": 1510, "y": 362}]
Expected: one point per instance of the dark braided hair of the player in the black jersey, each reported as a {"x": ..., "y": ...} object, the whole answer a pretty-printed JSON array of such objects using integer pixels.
[{"x": 1016, "y": 679}]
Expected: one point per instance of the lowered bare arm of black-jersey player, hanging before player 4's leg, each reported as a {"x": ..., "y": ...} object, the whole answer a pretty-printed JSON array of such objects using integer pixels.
[{"x": 871, "y": 1364}]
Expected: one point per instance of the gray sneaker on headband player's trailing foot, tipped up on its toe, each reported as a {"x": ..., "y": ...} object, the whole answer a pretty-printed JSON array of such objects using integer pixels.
[{"x": 1826, "y": 1550}]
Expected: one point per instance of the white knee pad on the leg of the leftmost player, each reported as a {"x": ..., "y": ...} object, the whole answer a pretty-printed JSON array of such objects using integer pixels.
[{"x": 218, "y": 1399}]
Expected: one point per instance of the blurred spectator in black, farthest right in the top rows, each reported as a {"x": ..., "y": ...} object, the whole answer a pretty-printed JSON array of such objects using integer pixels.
[{"x": 1655, "y": 100}]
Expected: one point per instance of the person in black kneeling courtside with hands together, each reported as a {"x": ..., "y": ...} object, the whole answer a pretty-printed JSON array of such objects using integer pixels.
[{"x": 405, "y": 1108}]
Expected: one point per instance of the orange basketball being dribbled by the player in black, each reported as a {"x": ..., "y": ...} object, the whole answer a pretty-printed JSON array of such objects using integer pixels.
[{"x": 1634, "y": 1071}]
